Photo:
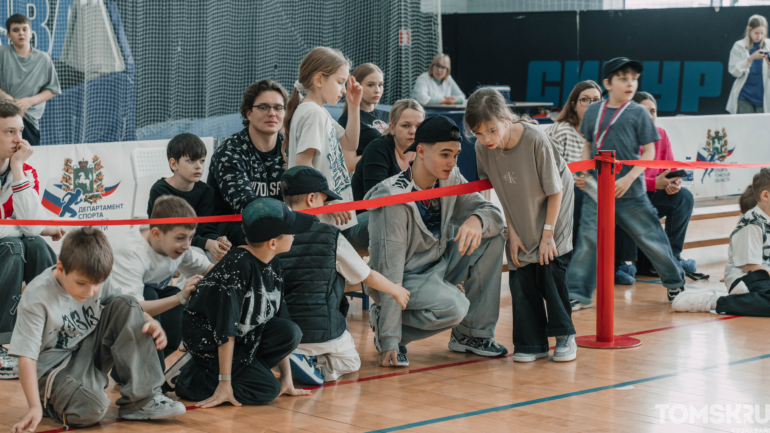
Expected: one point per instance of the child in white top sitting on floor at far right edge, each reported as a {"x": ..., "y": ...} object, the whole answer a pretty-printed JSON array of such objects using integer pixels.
[{"x": 748, "y": 263}]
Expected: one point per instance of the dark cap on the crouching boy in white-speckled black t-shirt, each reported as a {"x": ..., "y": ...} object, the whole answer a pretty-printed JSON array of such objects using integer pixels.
[{"x": 267, "y": 218}]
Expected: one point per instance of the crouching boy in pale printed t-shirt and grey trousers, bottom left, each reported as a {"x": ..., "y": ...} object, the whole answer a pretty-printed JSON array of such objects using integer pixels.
[{"x": 69, "y": 334}]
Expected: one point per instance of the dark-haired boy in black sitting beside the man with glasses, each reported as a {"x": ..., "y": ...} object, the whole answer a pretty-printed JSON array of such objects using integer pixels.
[{"x": 187, "y": 157}]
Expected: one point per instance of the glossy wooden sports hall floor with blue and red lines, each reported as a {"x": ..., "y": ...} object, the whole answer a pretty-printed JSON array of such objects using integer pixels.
[{"x": 689, "y": 359}]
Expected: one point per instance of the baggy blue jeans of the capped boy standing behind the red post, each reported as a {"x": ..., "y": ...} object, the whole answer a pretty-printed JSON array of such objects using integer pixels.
[{"x": 638, "y": 218}]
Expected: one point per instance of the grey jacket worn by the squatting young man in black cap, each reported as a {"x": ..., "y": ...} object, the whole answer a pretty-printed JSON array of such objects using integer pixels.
[{"x": 399, "y": 241}]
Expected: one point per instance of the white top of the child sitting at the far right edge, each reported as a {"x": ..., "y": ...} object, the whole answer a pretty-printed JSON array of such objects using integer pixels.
[{"x": 748, "y": 243}]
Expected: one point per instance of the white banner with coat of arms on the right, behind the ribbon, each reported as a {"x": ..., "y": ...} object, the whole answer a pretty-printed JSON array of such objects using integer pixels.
[{"x": 730, "y": 139}]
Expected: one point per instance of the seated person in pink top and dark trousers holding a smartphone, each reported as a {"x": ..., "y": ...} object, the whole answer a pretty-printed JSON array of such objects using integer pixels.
[{"x": 664, "y": 188}]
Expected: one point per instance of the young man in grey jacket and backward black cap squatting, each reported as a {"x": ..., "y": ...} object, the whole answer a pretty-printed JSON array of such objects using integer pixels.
[{"x": 429, "y": 246}]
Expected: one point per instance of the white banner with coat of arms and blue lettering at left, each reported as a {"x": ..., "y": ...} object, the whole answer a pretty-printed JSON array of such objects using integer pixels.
[{"x": 95, "y": 181}]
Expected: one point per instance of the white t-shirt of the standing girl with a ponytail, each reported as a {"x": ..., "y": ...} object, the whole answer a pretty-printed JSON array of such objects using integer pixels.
[{"x": 313, "y": 128}]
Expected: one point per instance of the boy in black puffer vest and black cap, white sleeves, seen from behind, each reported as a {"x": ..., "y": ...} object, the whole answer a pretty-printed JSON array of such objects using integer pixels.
[{"x": 315, "y": 289}]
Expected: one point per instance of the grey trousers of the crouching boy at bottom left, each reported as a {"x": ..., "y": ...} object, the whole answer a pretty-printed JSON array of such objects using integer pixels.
[{"x": 78, "y": 383}]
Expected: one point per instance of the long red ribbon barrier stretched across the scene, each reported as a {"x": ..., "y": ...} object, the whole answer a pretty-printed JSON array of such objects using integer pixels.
[{"x": 466, "y": 188}]
